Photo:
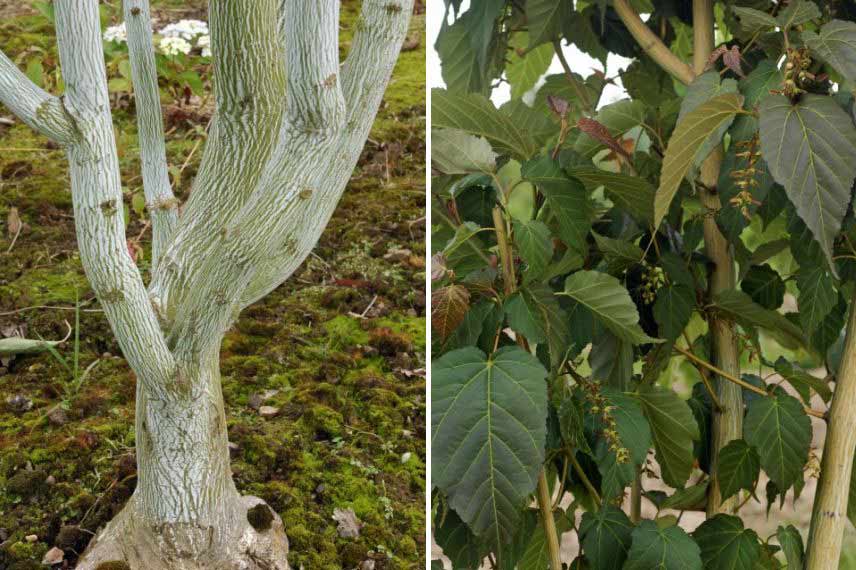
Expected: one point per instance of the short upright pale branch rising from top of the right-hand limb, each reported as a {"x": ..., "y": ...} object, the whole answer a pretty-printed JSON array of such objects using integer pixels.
[{"x": 314, "y": 97}]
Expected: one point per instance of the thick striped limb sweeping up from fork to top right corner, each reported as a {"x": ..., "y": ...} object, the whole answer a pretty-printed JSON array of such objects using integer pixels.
[{"x": 299, "y": 190}]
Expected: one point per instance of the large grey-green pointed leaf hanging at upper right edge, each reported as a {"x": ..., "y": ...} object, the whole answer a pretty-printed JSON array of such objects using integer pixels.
[{"x": 808, "y": 147}]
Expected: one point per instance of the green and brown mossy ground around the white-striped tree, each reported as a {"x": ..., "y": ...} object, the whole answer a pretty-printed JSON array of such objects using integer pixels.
[{"x": 339, "y": 342}]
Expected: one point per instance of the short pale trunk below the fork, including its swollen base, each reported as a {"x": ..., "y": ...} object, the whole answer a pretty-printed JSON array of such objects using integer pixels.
[{"x": 186, "y": 513}]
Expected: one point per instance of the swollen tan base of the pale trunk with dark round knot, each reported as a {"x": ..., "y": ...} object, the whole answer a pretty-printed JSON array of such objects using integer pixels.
[{"x": 249, "y": 536}]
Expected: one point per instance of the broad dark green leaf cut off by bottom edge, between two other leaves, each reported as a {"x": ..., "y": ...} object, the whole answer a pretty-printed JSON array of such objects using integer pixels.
[{"x": 656, "y": 548}]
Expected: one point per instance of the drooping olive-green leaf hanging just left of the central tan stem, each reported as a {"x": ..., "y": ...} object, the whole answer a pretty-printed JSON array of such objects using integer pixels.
[{"x": 674, "y": 429}]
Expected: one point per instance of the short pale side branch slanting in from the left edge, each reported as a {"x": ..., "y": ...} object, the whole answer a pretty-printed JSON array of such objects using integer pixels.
[{"x": 37, "y": 108}]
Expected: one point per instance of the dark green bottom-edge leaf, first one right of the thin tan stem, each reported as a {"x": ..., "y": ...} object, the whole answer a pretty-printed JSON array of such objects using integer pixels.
[{"x": 606, "y": 537}]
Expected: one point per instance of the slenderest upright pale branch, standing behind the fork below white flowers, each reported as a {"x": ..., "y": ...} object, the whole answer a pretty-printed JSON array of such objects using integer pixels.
[{"x": 160, "y": 201}]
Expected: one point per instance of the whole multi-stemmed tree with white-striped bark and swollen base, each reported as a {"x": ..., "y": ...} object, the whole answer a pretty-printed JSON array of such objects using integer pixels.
[{"x": 289, "y": 126}]
